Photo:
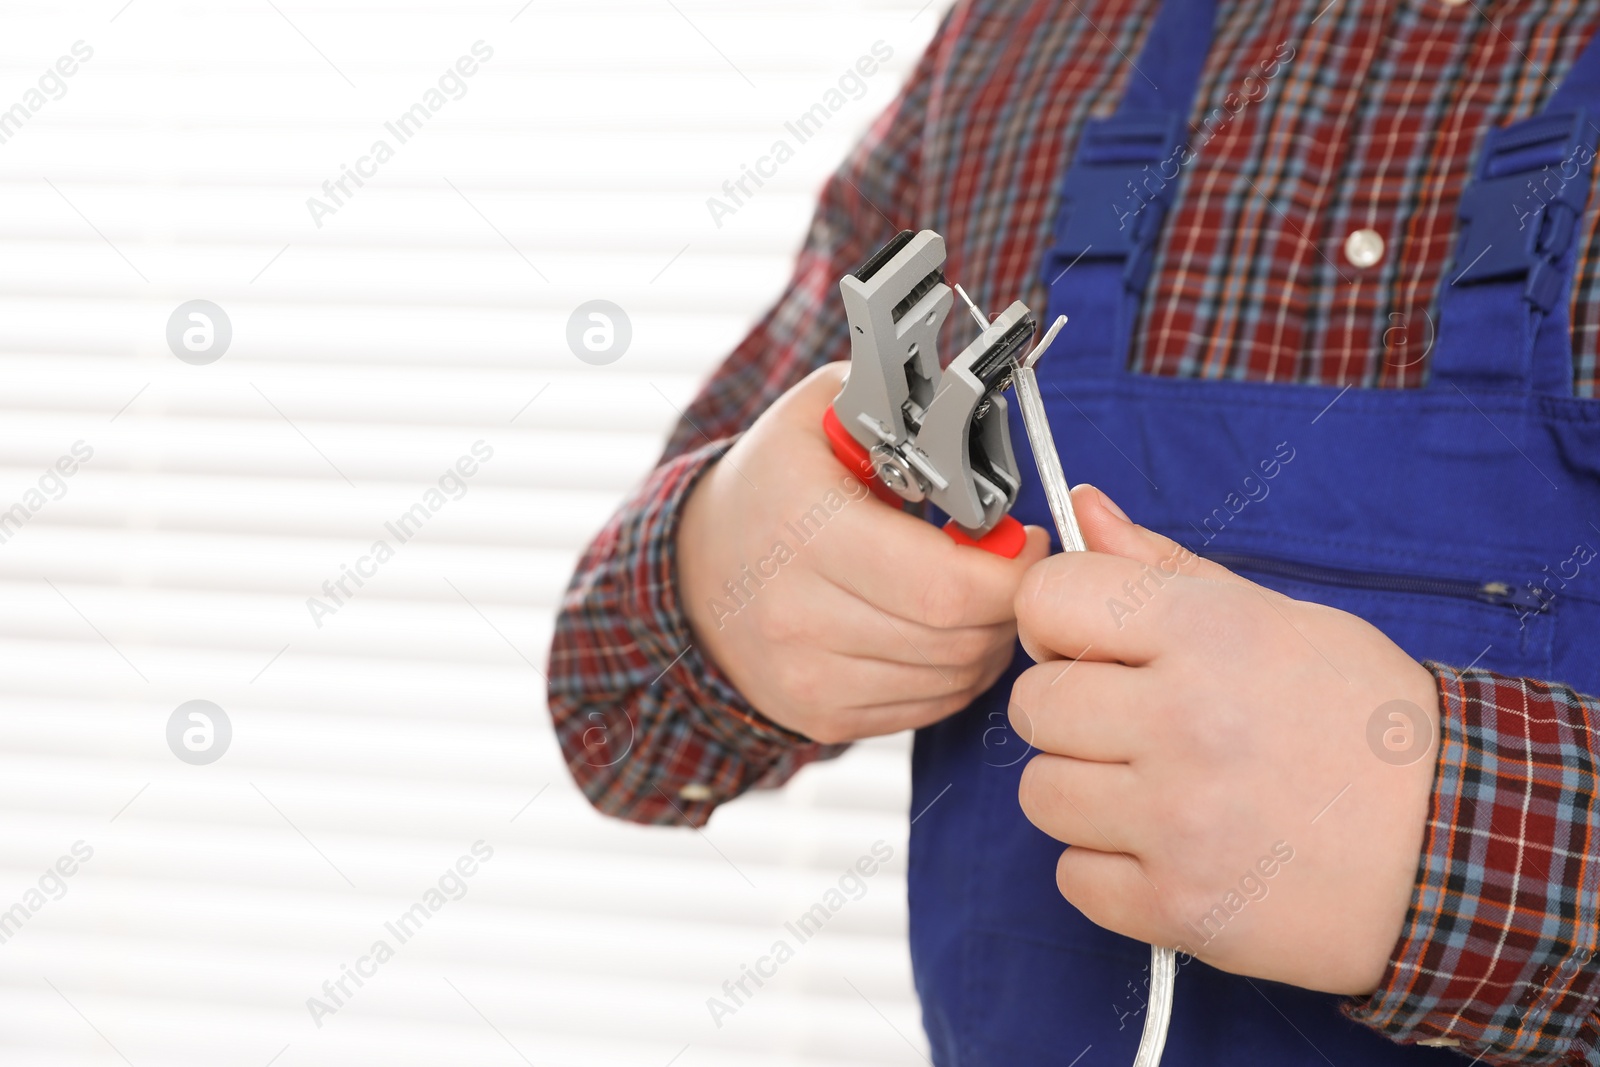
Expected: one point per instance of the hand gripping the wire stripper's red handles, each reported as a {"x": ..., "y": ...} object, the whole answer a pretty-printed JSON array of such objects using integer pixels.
[{"x": 834, "y": 613}]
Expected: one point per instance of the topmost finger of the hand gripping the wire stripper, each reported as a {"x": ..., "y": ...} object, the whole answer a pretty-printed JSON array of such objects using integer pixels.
[{"x": 913, "y": 570}]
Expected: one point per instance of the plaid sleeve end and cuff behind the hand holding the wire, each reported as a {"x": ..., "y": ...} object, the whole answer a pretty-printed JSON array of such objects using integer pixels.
[{"x": 1498, "y": 949}]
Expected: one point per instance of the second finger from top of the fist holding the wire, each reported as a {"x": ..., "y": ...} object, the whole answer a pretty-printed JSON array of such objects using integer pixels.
[{"x": 1084, "y": 709}]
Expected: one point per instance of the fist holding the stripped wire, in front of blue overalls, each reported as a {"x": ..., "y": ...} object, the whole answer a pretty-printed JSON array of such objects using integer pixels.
[{"x": 1206, "y": 751}]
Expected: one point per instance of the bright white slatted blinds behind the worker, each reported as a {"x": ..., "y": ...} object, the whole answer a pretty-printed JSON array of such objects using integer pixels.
[{"x": 367, "y": 356}]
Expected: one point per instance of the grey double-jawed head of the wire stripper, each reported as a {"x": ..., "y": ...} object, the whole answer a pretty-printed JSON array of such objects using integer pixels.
[{"x": 929, "y": 434}]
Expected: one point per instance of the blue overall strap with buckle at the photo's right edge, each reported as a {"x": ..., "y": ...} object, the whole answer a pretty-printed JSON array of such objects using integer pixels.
[{"x": 1505, "y": 302}]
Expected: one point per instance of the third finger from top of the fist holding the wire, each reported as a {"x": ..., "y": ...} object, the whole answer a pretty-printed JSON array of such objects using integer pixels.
[{"x": 1097, "y": 805}]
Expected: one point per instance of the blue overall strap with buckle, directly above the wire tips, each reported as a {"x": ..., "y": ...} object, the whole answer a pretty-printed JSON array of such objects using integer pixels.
[{"x": 1116, "y": 194}]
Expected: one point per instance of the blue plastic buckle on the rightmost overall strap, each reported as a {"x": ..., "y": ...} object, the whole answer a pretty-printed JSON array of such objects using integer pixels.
[{"x": 1519, "y": 217}]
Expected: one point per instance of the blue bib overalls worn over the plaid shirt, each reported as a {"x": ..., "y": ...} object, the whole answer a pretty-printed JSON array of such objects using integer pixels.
[{"x": 1428, "y": 513}]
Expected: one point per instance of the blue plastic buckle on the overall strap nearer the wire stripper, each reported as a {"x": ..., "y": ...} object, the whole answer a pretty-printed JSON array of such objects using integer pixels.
[{"x": 1118, "y": 191}]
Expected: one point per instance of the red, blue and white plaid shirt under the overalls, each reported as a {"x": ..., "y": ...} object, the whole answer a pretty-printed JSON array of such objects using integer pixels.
[{"x": 1372, "y": 118}]
